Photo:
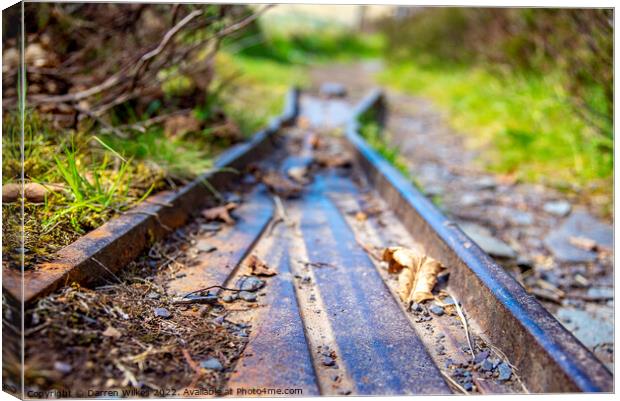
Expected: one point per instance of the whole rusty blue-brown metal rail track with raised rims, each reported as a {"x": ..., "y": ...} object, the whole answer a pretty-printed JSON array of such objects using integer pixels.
[{"x": 330, "y": 320}]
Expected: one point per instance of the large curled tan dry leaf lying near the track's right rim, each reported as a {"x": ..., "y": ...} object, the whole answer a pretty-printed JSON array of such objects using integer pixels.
[{"x": 418, "y": 273}]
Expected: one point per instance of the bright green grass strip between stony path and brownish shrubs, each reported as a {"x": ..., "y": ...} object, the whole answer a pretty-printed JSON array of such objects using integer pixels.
[{"x": 525, "y": 123}]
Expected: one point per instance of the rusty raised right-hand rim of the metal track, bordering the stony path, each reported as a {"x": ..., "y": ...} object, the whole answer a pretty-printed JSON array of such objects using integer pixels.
[{"x": 548, "y": 357}]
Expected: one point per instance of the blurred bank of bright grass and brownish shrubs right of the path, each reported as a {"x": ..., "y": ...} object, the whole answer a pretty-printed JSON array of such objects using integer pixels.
[{"x": 536, "y": 85}]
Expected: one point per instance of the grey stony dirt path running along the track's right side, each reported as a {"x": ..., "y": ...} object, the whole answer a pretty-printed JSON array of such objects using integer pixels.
[{"x": 559, "y": 246}]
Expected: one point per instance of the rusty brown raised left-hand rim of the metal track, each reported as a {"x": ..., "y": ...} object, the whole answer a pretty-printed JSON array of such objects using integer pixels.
[{"x": 95, "y": 256}]
